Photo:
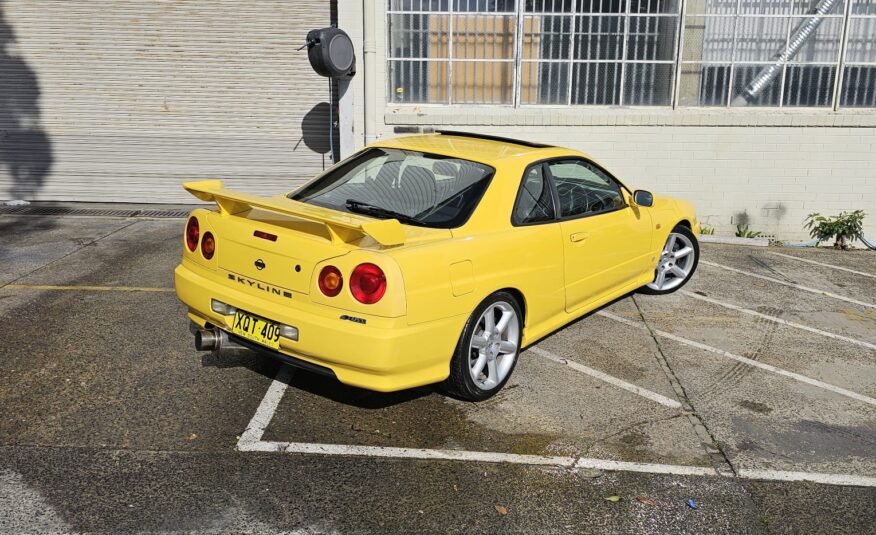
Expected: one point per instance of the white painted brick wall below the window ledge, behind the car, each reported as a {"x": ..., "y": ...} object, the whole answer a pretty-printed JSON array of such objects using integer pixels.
[{"x": 775, "y": 175}]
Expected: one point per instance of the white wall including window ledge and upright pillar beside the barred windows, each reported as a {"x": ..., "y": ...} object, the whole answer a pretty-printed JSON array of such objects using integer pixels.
[{"x": 727, "y": 162}]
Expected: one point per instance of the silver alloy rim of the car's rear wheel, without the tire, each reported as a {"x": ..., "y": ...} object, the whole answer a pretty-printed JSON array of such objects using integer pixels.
[{"x": 493, "y": 348}]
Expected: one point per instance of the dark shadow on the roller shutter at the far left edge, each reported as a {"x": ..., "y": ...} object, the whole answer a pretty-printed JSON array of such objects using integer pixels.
[{"x": 25, "y": 149}]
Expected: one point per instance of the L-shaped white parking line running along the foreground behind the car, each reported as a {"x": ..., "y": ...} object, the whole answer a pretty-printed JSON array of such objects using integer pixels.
[{"x": 250, "y": 441}]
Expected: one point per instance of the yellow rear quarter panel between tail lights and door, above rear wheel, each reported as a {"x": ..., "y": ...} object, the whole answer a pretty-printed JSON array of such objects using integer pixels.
[{"x": 527, "y": 259}]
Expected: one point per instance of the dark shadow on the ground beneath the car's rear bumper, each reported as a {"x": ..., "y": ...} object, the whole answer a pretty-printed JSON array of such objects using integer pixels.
[{"x": 313, "y": 383}]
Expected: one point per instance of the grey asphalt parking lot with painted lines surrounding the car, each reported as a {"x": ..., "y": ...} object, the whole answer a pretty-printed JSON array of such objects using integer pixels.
[{"x": 744, "y": 403}]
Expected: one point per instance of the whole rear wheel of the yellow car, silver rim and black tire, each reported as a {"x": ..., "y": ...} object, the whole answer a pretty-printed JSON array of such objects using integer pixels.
[{"x": 487, "y": 350}]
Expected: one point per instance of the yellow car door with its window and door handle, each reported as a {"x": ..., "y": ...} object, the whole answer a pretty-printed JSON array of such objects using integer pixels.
[{"x": 606, "y": 240}]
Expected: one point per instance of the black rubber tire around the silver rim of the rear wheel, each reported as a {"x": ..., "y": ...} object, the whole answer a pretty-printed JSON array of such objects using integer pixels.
[{"x": 460, "y": 383}]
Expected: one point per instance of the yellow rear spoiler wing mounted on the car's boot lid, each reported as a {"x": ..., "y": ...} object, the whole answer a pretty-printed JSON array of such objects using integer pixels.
[{"x": 340, "y": 227}]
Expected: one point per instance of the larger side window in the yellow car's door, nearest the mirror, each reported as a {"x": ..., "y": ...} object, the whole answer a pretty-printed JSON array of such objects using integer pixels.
[{"x": 584, "y": 189}]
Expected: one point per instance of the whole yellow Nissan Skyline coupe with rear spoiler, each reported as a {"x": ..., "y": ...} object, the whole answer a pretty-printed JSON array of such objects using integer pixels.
[{"x": 425, "y": 259}]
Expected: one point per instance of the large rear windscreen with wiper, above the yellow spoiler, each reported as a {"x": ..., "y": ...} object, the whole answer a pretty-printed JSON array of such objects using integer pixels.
[{"x": 413, "y": 187}]
